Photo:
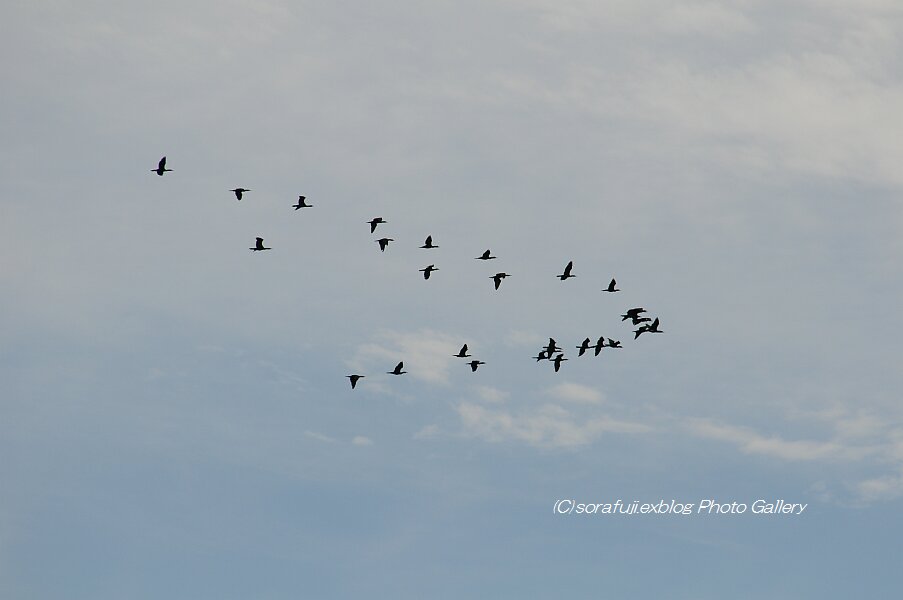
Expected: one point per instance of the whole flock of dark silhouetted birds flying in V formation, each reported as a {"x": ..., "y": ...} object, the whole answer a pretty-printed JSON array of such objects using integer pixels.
[{"x": 550, "y": 352}]
